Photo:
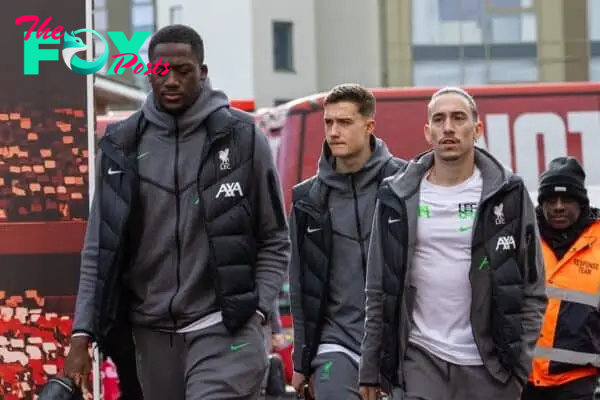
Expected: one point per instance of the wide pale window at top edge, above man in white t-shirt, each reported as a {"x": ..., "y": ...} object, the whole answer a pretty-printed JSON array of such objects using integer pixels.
[{"x": 444, "y": 22}]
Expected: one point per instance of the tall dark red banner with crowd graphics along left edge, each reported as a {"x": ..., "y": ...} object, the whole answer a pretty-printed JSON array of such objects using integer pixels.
[{"x": 43, "y": 200}]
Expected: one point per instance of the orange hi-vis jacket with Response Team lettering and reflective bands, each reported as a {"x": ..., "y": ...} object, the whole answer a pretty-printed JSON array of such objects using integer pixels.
[{"x": 569, "y": 344}]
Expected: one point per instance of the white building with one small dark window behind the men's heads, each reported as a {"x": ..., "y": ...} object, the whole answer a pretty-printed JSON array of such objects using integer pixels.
[{"x": 273, "y": 51}]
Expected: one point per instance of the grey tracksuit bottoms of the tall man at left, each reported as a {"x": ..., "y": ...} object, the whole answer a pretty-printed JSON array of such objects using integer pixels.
[{"x": 209, "y": 364}]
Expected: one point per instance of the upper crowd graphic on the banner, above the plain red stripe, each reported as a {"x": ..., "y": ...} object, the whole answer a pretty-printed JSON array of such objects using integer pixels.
[{"x": 44, "y": 167}]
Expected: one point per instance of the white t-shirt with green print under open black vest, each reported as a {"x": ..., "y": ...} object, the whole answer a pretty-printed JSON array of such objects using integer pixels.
[{"x": 440, "y": 271}]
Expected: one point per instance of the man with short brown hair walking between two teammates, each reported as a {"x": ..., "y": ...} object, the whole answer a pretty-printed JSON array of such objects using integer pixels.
[{"x": 330, "y": 228}]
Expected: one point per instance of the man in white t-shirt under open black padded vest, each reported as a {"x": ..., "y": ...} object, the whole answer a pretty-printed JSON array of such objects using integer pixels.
[{"x": 455, "y": 278}]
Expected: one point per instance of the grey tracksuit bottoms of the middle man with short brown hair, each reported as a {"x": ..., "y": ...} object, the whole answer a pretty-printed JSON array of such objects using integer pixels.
[{"x": 336, "y": 377}]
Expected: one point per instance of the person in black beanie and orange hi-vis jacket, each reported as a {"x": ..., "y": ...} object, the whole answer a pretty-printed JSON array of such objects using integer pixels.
[{"x": 567, "y": 356}]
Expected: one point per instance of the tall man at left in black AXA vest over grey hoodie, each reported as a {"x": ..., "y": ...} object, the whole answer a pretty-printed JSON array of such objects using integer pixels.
[{"x": 187, "y": 243}]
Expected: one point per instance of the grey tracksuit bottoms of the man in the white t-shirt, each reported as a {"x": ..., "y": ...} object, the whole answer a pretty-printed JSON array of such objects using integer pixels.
[{"x": 430, "y": 378}]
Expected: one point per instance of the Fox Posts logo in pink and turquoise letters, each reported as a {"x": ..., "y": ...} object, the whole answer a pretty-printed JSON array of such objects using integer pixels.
[{"x": 128, "y": 56}]
